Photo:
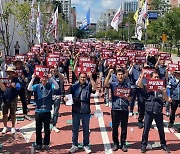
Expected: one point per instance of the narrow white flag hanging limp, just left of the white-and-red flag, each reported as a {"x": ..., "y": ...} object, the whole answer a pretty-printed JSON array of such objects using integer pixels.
[{"x": 38, "y": 25}]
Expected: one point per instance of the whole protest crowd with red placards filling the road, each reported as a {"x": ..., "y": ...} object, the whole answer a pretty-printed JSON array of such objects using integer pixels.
[{"x": 119, "y": 72}]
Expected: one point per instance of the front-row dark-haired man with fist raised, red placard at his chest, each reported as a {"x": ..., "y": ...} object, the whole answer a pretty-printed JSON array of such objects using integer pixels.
[{"x": 119, "y": 111}]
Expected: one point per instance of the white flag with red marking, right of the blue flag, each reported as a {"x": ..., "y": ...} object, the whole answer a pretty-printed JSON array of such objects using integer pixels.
[{"x": 118, "y": 18}]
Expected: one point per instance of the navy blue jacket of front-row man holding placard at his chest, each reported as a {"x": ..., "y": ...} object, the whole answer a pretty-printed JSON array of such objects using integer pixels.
[{"x": 119, "y": 103}]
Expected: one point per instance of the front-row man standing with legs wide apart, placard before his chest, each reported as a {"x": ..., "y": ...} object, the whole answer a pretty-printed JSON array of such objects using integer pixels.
[{"x": 153, "y": 110}]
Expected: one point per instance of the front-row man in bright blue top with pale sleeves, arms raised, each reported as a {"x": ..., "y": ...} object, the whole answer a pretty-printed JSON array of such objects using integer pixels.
[{"x": 43, "y": 98}]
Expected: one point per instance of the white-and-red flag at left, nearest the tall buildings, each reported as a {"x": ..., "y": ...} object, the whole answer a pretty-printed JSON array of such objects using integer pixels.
[{"x": 52, "y": 27}]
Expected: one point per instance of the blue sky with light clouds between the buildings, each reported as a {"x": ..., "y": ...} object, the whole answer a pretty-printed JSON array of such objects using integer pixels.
[{"x": 96, "y": 7}]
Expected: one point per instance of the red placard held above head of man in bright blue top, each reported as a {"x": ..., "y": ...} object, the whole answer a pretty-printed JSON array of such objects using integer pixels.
[{"x": 42, "y": 71}]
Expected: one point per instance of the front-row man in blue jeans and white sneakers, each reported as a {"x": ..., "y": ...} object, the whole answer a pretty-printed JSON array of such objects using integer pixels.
[{"x": 81, "y": 92}]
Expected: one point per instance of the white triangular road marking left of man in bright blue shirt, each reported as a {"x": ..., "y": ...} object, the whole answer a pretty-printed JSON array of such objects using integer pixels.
[{"x": 27, "y": 131}]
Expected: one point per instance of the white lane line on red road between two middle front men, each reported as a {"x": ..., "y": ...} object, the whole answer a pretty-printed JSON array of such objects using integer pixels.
[{"x": 105, "y": 138}]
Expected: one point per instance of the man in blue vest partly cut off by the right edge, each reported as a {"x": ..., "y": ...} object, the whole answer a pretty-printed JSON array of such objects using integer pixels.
[{"x": 173, "y": 95}]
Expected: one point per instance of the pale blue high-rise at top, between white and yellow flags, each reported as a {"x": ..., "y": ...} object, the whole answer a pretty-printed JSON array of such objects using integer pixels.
[{"x": 130, "y": 6}]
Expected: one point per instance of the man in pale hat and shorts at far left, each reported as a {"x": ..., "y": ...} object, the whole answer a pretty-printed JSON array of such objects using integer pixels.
[{"x": 10, "y": 100}]
